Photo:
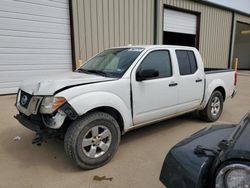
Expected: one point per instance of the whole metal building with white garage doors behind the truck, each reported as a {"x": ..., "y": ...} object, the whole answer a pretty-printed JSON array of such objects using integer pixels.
[{"x": 53, "y": 36}]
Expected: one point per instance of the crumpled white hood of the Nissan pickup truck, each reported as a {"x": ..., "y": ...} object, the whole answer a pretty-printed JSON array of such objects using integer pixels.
[{"x": 51, "y": 84}]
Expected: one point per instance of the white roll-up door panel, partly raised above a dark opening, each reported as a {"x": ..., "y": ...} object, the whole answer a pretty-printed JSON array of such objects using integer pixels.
[{"x": 179, "y": 22}]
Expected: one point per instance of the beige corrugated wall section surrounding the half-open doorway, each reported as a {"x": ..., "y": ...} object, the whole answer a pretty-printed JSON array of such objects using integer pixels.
[{"x": 215, "y": 30}]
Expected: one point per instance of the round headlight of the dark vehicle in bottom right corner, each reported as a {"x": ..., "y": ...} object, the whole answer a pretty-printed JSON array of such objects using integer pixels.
[{"x": 234, "y": 175}]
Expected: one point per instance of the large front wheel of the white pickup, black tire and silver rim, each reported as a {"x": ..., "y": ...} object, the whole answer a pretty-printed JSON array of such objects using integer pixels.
[{"x": 83, "y": 128}]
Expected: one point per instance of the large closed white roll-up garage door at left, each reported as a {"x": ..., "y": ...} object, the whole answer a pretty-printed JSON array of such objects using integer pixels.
[{"x": 34, "y": 40}]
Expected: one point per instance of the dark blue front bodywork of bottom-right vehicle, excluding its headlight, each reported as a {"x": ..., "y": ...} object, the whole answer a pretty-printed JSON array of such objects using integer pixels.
[{"x": 192, "y": 169}]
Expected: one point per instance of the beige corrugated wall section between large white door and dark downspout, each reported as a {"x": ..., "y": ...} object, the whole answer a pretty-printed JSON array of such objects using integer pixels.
[{"x": 101, "y": 24}]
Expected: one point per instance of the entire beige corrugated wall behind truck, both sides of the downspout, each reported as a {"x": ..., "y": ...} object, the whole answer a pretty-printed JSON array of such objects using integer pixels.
[{"x": 101, "y": 24}]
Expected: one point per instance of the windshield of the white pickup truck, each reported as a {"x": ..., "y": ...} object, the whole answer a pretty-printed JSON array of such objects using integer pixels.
[{"x": 112, "y": 62}]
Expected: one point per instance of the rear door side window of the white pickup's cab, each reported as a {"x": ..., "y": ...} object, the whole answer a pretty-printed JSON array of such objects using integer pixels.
[{"x": 186, "y": 61}]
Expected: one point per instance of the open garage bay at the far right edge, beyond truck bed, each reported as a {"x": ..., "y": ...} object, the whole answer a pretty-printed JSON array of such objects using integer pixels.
[{"x": 242, "y": 45}]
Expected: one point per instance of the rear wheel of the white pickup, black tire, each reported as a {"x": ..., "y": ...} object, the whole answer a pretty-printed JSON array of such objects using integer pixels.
[{"x": 206, "y": 114}]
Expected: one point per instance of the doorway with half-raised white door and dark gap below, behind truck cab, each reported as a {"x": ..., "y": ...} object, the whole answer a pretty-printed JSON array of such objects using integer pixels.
[{"x": 180, "y": 28}]
